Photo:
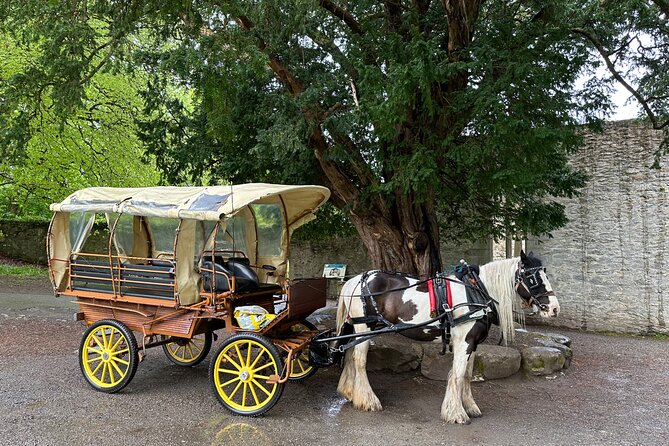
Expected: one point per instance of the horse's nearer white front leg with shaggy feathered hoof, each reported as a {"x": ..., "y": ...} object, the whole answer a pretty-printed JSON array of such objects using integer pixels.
[{"x": 452, "y": 410}]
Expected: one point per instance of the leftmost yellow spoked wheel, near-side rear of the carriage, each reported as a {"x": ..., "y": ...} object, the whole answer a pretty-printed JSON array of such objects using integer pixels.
[{"x": 108, "y": 355}]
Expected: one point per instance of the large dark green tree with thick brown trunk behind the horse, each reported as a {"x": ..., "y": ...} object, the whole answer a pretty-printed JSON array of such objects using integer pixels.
[{"x": 419, "y": 115}]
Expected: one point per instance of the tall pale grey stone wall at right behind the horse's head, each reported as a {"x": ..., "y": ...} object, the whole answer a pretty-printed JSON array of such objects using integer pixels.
[{"x": 608, "y": 264}]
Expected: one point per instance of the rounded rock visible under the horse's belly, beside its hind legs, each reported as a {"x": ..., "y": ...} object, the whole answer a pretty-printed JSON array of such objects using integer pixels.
[{"x": 395, "y": 353}]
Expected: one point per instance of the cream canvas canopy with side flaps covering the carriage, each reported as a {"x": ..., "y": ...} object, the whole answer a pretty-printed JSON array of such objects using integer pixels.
[{"x": 73, "y": 218}]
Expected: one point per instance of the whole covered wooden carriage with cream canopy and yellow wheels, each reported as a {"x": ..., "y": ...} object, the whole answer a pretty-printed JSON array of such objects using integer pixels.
[{"x": 176, "y": 265}]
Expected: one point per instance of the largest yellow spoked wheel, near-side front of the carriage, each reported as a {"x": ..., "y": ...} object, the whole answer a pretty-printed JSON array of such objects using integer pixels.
[{"x": 239, "y": 372}]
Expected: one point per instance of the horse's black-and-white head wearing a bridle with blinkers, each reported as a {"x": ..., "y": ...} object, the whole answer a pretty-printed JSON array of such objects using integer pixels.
[{"x": 533, "y": 287}]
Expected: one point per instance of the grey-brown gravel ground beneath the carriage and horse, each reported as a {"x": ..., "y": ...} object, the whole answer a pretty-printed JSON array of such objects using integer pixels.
[{"x": 614, "y": 393}]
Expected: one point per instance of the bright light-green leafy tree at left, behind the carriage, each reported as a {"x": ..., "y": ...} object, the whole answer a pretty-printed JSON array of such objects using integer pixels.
[{"x": 95, "y": 145}]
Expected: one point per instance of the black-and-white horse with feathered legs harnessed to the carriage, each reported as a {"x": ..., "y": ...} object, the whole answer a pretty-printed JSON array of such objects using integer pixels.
[{"x": 402, "y": 299}]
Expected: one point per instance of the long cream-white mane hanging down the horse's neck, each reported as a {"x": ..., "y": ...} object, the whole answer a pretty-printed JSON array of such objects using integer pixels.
[{"x": 498, "y": 277}]
